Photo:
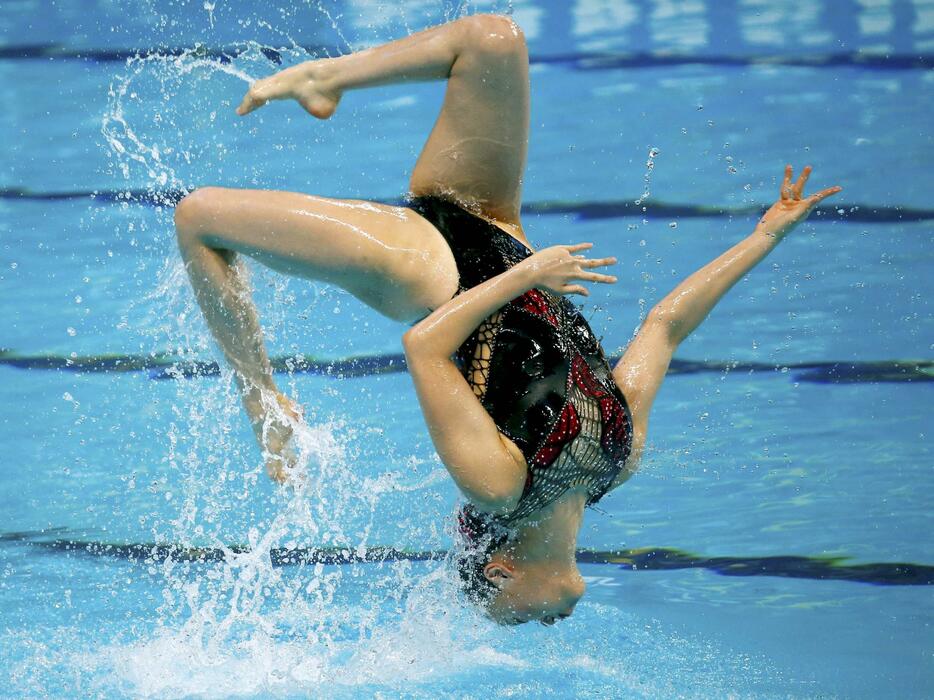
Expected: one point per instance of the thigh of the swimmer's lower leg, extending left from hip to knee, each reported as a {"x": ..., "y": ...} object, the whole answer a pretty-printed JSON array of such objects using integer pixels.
[{"x": 388, "y": 257}]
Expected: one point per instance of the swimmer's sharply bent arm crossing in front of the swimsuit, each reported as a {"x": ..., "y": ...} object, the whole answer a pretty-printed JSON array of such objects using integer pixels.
[{"x": 488, "y": 467}]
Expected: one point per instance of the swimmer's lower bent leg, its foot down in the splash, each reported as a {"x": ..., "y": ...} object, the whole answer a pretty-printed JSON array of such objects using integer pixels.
[{"x": 388, "y": 257}]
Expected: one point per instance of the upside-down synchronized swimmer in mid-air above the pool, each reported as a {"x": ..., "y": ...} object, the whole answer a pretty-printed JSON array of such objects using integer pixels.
[{"x": 526, "y": 414}]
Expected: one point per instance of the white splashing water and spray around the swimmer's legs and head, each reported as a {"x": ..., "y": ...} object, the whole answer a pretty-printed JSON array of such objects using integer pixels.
[{"x": 242, "y": 626}]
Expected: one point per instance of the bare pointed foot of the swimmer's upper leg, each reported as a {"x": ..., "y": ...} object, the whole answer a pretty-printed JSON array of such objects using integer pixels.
[{"x": 308, "y": 83}]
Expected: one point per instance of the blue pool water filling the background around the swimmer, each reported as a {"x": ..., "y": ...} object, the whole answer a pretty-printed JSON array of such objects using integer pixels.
[{"x": 790, "y": 471}]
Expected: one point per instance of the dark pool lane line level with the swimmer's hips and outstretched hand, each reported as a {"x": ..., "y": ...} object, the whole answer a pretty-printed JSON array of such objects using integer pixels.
[{"x": 581, "y": 211}]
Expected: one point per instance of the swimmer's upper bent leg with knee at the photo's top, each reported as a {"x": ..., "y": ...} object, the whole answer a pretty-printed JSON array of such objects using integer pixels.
[{"x": 476, "y": 151}]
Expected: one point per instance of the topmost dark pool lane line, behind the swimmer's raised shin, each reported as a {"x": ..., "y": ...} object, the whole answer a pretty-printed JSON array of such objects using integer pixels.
[{"x": 576, "y": 60}]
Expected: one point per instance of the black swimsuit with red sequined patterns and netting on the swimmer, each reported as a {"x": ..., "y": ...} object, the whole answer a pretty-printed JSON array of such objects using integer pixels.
[{"x": 539, "y": 371}]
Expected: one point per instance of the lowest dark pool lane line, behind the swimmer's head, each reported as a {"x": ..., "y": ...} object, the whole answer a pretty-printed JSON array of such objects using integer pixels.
[{"x": 830, "y": 568}]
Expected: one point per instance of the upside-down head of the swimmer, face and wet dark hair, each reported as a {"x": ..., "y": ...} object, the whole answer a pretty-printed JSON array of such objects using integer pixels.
[{"x": 509, "y": 588}]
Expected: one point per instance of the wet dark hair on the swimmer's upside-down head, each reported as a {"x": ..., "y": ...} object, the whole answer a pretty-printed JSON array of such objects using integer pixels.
[{"x": 479, "y": 536}]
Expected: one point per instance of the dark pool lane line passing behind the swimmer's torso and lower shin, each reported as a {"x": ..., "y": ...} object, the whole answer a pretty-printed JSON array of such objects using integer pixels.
[{"x": 162, "y": 367}]
